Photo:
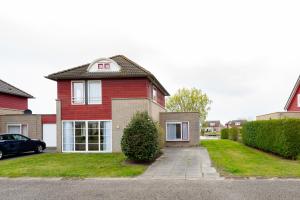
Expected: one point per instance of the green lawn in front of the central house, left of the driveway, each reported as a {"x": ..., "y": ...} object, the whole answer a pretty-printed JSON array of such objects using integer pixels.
[{"x": 70, "y": 165}]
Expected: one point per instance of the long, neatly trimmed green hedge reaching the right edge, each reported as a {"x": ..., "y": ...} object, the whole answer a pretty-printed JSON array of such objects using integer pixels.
[{"x": 281, "y": 137}]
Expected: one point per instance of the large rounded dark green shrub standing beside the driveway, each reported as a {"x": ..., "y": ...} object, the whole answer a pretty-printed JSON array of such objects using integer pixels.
[{"x": 140, "y": 141}]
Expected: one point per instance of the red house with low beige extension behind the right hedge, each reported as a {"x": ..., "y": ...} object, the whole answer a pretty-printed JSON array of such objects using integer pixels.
[{"x": 292, "y": 106}]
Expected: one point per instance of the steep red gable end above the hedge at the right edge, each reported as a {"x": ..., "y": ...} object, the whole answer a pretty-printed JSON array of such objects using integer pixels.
[{"x": 293, "y": 103}]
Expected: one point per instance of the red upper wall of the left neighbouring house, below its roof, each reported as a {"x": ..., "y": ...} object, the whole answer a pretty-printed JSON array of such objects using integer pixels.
[{"x": 13, "y": 102}]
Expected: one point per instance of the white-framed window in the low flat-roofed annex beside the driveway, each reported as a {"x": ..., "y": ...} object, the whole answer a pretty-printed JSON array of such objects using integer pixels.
[{"x": 177, "y": 131}]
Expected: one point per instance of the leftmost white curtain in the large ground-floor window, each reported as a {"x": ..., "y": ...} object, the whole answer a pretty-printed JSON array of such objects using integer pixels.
[{"x": 68, "y": 136}]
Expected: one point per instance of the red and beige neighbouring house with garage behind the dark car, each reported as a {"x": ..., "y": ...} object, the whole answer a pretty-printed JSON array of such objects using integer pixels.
[{"x": 15, "y": 117}]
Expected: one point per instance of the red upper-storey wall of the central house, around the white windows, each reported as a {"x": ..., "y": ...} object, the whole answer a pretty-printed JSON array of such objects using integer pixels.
[{"x": 111, "y": 88}]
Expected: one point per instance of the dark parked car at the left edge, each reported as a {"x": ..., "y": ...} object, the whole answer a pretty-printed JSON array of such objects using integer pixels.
[{"x": 16, "y": 143}]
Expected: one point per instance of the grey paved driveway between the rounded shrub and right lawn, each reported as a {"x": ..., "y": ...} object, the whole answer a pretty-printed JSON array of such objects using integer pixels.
[{"x": 182, "y": 163}]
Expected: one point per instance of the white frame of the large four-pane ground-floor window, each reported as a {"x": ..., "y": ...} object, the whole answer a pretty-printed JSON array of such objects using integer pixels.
[{"x": 86, "y": 138}]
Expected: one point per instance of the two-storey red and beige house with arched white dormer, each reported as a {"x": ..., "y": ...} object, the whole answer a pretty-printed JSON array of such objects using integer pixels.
[{"x": 96, "y": 101}]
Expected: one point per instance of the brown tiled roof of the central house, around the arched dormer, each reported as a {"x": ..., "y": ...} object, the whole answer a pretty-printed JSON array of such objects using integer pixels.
[{"x": 129, "y": 69}]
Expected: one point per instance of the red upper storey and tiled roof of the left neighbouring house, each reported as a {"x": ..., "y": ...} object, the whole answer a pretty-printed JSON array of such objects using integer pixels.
[{"x": 12, "y": 99}]
